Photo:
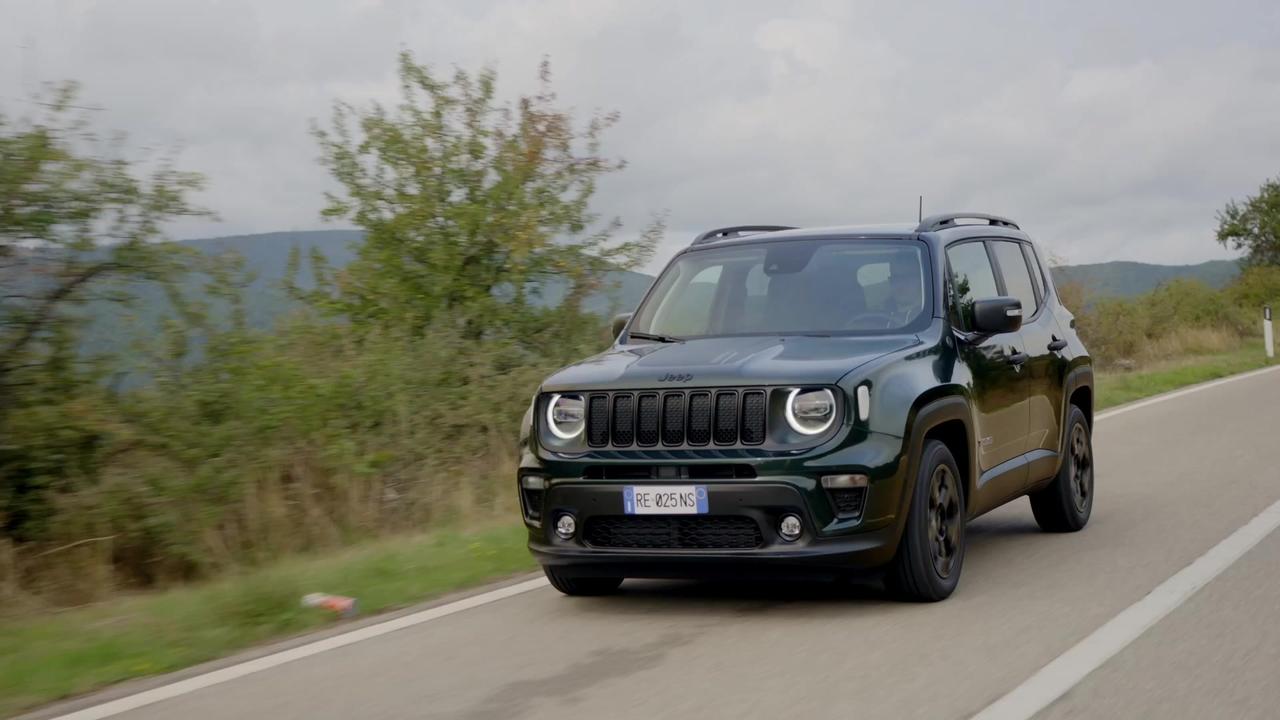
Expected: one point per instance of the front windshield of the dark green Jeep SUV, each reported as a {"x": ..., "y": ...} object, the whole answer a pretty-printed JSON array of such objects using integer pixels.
[{"x": 793, "y": 288}]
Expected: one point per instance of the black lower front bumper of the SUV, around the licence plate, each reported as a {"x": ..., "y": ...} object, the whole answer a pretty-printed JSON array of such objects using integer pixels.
[{"x": 826, "y": 549}]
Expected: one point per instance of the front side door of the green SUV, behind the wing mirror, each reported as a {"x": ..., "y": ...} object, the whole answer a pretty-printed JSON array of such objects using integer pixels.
[{"x": 998, "y": 385}]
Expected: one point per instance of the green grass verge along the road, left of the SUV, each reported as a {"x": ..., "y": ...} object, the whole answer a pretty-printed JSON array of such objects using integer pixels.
[{"x": 49, "y": 657}]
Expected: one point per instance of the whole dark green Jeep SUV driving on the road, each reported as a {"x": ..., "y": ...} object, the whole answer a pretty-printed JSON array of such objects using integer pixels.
[{"x": 815, "y": 403}]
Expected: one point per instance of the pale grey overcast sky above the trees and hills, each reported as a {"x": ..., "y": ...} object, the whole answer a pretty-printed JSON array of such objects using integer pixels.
[{"x": 1108, "y": 130}]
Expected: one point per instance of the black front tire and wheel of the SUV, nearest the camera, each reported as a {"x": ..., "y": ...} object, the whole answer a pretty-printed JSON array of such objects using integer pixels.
[{"x": 931, "y": 554}]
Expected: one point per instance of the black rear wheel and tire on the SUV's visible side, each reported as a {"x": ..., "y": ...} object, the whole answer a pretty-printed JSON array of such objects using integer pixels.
[{"x": 1067, "y": 504}]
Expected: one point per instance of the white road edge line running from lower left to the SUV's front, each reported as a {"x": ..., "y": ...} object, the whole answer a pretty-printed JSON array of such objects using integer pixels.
[{"x": 266, "y": 663}]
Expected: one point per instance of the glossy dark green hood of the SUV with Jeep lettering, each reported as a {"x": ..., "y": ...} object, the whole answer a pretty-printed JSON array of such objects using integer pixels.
[{"x": 725, "y": 362}]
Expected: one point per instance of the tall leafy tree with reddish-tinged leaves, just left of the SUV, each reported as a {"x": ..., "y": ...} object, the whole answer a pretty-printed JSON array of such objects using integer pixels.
[{"x": 470, "y": 206}]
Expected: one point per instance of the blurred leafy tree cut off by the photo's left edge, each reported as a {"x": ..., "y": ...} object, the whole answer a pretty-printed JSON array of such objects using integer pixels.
[{"x": 77, "y": 226}]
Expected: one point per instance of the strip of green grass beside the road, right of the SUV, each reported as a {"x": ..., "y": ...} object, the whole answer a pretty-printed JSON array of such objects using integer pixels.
[{"x": 1118, "y": 389}]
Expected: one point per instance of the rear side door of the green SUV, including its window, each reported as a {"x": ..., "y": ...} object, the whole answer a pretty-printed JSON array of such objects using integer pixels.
[{"x": 1045, "y": 370}]
